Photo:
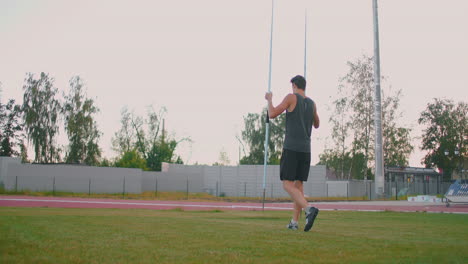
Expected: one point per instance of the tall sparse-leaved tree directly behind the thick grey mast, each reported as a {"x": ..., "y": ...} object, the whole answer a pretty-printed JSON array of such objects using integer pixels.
[{"x": 353, "y": 125}]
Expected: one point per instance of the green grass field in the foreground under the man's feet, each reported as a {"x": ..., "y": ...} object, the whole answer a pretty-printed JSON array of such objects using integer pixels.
[{"x": 56, "y": 235}]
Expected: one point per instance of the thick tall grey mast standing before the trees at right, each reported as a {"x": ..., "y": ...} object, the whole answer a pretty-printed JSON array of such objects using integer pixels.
[{"x": 379, "y": 162}]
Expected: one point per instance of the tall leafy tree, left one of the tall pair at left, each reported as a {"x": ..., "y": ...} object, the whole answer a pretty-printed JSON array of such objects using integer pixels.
[{"x": 41, "y": 115}]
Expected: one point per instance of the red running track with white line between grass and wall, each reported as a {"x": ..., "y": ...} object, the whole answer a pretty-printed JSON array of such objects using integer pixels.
[{"x": 61, "y": 202}]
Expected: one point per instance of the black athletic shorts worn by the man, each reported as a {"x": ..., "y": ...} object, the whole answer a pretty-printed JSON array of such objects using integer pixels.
[{"x": 294, "y": 165}]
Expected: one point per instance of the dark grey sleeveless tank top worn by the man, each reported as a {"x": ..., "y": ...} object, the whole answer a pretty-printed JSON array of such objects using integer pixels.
[{"x": 299, "y": 125}]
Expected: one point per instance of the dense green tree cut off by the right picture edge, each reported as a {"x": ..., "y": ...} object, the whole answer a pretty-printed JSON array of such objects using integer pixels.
[{"x": 446, "y": 129}]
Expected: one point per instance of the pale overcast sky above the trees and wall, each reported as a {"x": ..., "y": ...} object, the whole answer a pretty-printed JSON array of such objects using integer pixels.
[{"x": 206, "y": 61}]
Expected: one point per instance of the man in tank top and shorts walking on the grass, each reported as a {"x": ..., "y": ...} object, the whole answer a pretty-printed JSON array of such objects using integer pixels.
[{"x": 301, "y": 115}]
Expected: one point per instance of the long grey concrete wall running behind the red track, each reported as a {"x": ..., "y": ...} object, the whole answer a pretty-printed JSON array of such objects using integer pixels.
[{"x": 240, "y": 181}]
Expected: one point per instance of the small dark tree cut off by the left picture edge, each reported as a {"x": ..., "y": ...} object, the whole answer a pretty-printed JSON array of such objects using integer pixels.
[{"x": 11, "y": 135}]
